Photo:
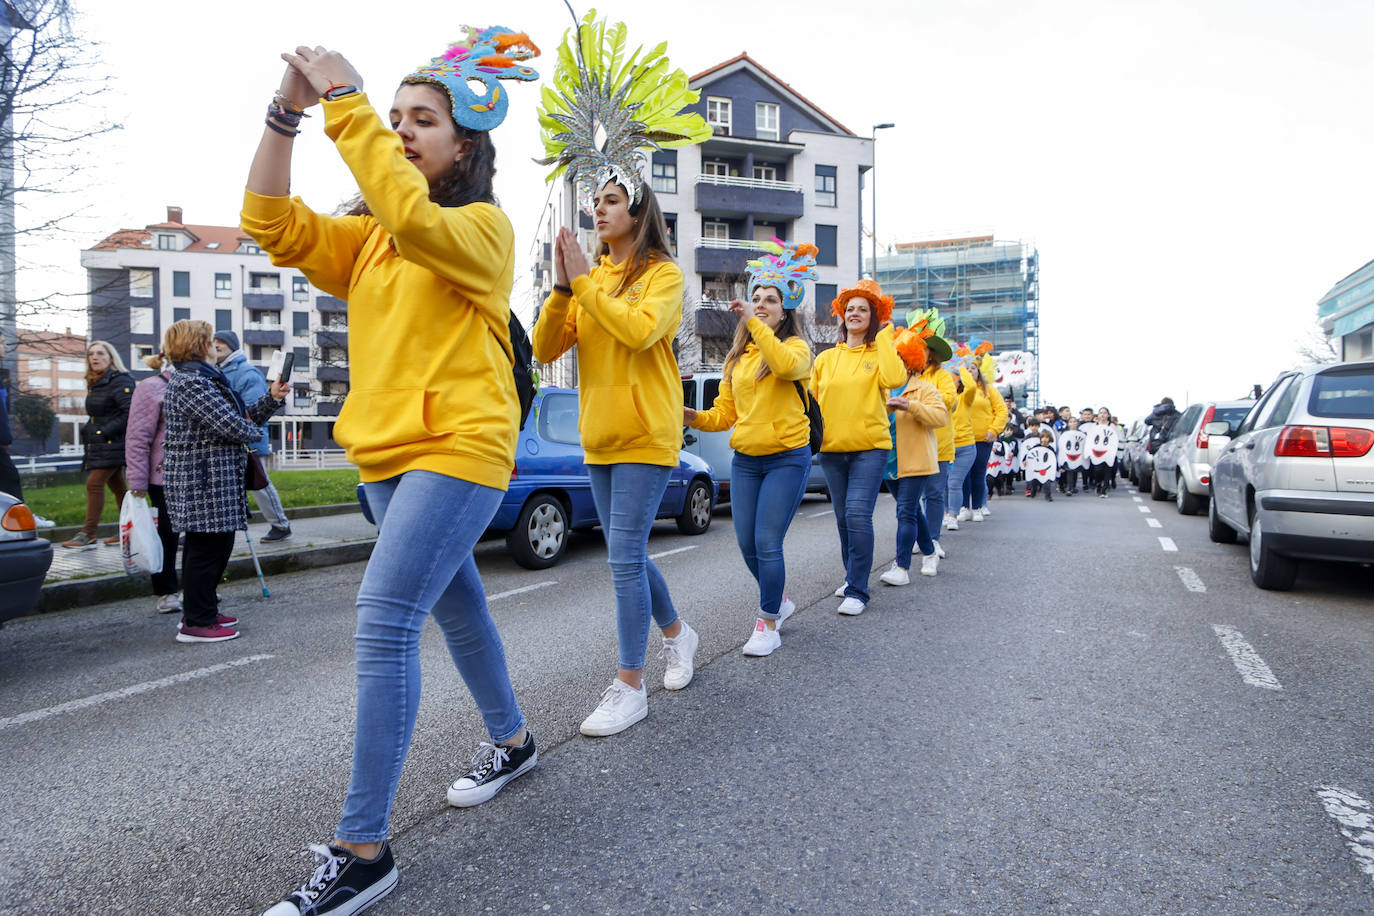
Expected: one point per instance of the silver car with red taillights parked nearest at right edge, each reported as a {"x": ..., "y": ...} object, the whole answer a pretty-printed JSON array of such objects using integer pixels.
[{"x": 1299, "y": 474}]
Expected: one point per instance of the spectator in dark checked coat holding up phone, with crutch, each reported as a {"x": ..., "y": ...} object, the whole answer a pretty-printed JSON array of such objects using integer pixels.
[{"x": 203, "y": 472}]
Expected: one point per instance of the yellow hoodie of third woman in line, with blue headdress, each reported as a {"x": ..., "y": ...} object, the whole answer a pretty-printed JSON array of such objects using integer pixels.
[{"x": 767, "y": 414}]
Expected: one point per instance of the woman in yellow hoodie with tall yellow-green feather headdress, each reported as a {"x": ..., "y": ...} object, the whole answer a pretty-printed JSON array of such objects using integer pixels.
[{"x": 622, "y": 315}]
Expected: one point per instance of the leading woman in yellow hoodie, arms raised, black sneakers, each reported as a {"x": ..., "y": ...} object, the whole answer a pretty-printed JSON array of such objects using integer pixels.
[{"x": 427, "y": 266}]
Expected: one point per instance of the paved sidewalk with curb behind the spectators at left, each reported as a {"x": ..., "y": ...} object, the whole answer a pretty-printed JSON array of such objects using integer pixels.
[{"x": 91, "y": 576}]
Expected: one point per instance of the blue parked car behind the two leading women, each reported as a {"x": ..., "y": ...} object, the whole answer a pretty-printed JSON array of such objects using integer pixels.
[{"x": 550, "y": 492}]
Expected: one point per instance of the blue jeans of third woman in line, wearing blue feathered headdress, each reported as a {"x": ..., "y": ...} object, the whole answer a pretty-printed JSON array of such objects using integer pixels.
[{"x": 765, "y": 495}]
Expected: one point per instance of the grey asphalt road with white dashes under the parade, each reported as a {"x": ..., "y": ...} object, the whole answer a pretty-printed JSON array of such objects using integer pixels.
[{"x": 1070, "y": 719}]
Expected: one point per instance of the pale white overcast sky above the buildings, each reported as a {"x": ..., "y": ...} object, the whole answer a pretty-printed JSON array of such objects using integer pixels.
[{"x": 1195, "y": 174}]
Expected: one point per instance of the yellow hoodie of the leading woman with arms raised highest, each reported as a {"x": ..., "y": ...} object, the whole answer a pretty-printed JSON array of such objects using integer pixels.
[{"x": 431, "y": 384}]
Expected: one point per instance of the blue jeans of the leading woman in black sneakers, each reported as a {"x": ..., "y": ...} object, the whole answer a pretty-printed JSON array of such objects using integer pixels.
[{"x": 423, "y": 565}]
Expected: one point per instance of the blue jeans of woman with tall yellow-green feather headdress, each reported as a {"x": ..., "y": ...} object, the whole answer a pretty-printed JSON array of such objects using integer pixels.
[{"x": 627, "y": 501}]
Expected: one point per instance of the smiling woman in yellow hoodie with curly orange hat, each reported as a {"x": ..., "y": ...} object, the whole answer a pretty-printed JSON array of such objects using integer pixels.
[{"x": 851, "y": 382}]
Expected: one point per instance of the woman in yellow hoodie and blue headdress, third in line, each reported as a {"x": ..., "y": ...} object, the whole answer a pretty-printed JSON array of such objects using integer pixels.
[{"x": 762, "y": 398}]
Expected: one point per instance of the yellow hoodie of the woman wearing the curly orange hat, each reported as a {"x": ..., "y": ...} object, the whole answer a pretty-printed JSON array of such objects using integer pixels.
[{"x": 851, "y": 385}]
